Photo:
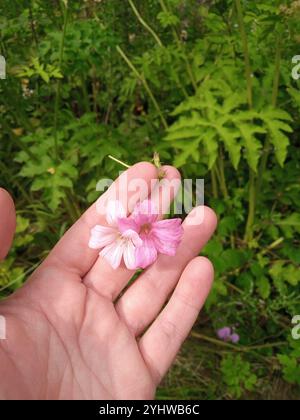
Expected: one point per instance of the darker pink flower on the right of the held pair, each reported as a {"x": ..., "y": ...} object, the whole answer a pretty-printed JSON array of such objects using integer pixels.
[{"x": 158, "y": 236}]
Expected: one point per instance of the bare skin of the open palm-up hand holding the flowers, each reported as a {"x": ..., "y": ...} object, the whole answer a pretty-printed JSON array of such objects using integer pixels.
[{"x": 70, "y": 335}]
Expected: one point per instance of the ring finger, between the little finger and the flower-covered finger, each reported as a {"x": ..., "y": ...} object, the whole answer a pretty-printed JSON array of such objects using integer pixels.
[{"x": 141, "y": 303}]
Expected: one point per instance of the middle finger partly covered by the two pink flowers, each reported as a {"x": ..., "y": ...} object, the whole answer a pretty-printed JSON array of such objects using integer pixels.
[{"x": 102, "y": 277}]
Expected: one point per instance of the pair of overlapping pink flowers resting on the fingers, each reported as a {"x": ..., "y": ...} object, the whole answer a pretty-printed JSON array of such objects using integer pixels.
[{"x": 138, "y": 238}]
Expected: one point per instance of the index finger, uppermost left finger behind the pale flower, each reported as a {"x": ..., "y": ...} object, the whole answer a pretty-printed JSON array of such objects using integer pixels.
[{"x": 72, "y": 251}]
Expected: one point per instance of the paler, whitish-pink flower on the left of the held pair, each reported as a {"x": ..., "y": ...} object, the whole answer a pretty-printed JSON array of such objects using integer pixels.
[{"x": 114, "y": 243}]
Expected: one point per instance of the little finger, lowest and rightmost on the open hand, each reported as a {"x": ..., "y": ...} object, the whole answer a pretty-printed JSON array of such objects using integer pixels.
[{"x": 162, "y": 341}]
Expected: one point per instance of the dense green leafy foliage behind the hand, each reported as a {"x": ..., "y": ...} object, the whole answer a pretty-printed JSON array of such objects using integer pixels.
[{"x": 208, "y": 85}]
